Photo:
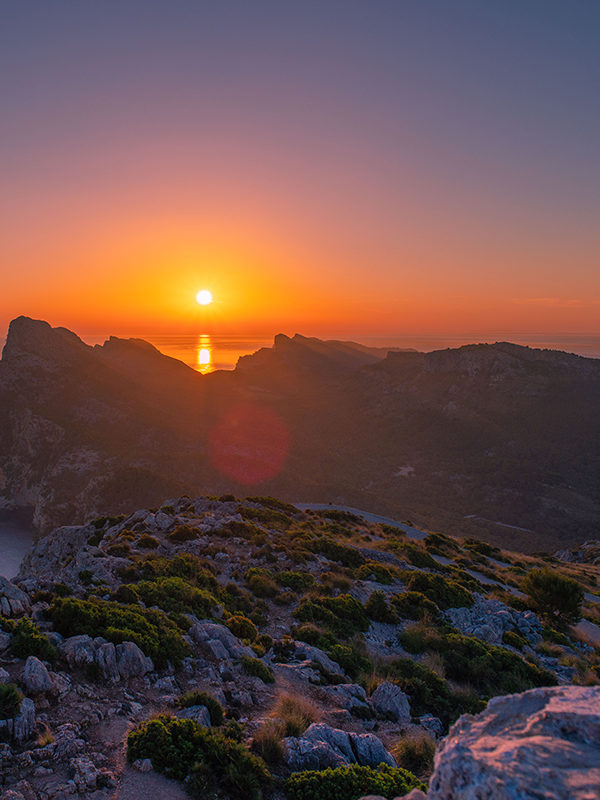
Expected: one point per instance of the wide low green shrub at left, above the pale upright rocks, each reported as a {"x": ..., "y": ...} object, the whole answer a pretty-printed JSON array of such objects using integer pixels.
[{"x": 153, "y": 632}]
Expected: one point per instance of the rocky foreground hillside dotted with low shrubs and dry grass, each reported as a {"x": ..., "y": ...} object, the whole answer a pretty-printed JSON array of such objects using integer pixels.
[{"x": 385, "y": 641}]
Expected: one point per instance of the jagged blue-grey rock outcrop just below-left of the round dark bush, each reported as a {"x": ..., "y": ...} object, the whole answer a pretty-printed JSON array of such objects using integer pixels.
[{"x": 488, "y": 619}]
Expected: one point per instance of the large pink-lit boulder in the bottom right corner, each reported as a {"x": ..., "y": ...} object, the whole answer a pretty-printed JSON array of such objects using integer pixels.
[{"x": 541, "y": 743}]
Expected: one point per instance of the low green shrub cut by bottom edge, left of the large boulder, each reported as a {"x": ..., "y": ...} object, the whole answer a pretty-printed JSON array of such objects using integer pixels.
[{"x": 350, "y": 783}]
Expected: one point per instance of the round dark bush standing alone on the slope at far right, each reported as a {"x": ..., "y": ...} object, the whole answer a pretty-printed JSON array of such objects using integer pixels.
[{"x": 556, "y": 597}]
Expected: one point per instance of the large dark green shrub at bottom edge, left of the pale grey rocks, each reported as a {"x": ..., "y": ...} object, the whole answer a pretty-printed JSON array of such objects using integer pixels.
[{"x": 210, "y": 762}]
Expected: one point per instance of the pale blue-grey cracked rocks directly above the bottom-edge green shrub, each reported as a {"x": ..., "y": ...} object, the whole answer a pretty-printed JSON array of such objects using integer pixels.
[{"x": 321, "y": 746}]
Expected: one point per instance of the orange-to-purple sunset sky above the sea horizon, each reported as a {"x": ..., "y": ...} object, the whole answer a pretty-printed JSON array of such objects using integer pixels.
[{"x": 325, "y": 167}]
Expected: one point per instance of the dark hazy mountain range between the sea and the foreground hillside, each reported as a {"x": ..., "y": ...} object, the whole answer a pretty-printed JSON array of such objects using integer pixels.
[{"x": 498, "y": 441}]
